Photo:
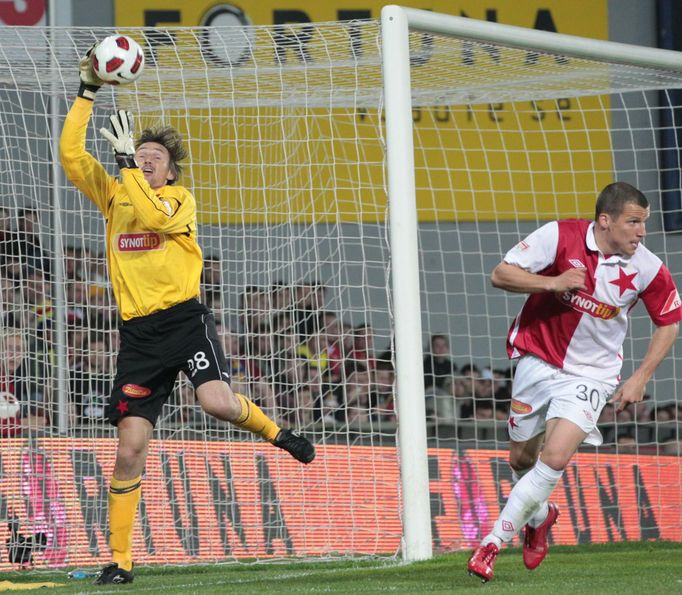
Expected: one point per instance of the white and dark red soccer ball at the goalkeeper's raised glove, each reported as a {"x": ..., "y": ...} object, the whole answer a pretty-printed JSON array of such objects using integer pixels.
[{"x": 118, "y": 59}]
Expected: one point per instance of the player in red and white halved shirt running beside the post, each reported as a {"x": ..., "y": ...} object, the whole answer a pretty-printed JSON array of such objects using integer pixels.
[{"x": 583, "y": 279}]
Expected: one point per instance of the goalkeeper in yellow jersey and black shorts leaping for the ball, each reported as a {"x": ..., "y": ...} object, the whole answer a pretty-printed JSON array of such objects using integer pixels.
[{"x": 155, "y": 266}]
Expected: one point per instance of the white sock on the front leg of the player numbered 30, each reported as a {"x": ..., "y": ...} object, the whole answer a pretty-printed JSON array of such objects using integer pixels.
[{"x": 528, "y": 496}]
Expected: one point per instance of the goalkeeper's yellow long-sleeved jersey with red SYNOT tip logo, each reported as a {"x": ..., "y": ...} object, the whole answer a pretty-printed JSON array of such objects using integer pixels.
[{"x": 154, "y": 259}]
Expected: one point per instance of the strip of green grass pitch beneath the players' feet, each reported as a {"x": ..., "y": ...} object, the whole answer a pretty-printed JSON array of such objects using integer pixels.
[{"x": 631, "y": 567}]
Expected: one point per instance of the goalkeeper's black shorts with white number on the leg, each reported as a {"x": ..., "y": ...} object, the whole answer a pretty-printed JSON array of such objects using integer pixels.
[{"x": 154, "y": 349}]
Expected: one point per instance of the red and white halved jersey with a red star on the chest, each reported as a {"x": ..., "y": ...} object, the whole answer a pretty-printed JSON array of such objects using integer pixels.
[{"x": 582, "y": 332}]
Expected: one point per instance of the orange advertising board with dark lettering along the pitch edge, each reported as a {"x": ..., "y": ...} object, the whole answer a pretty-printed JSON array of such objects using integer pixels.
[{"x": 207, "y": 501}]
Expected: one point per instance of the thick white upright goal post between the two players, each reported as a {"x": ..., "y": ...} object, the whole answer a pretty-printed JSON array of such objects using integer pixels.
[{"x": 417, "y": 541}]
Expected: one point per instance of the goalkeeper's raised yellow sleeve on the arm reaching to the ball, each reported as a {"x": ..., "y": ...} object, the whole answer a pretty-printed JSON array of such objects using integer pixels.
[{"x": 80, "y": 167}]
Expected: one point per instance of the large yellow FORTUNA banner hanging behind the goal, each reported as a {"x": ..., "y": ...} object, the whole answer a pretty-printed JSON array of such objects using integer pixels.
[{"x": 484, "y": 161}]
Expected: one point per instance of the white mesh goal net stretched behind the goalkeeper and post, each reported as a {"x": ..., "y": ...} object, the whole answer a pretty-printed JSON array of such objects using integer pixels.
[{"x": 287, "y": 161}]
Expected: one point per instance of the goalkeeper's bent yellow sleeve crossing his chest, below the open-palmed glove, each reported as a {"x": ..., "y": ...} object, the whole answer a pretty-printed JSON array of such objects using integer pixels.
[{"x": 170, "y": 211}]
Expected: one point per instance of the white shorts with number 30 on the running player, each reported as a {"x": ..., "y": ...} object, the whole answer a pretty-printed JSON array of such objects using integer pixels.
[{"x": 541, "y": 392}]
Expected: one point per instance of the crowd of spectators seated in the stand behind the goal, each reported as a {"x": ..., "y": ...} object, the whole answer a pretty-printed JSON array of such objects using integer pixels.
[{"x": 293, "y": 357}]
